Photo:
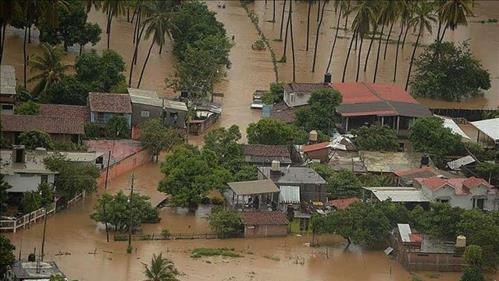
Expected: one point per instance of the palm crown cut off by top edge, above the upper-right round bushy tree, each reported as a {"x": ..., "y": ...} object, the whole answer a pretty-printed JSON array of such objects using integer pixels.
[{"x": 453, "y": 13}]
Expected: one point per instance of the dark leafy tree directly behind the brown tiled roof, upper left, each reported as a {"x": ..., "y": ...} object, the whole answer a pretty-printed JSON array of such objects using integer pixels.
[{"x": 101, "y": 73}]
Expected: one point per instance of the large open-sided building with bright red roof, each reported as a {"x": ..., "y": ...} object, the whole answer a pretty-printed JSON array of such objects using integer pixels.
[{"x": 381, "y": 104}]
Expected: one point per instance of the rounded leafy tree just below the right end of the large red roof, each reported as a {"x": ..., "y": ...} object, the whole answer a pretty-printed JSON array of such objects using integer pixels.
[{"x": 429, "y": 135}]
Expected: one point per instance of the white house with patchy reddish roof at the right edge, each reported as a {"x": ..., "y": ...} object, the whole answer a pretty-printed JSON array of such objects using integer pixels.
[{"x": 466, "y": 193}]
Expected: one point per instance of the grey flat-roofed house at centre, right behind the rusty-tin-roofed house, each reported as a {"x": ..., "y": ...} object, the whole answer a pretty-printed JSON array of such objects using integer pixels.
[{"x": 312, "y": 185}]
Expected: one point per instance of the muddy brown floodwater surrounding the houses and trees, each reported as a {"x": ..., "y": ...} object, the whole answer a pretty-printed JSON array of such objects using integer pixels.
[{"x": 79, "y": 245}]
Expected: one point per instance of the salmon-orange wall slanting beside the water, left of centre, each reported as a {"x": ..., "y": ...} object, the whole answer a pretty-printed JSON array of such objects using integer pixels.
[{"x": 125, "y": 165}]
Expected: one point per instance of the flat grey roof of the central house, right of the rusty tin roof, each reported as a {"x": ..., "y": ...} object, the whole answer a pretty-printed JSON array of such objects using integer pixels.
[{"x": 293, "y": 175}]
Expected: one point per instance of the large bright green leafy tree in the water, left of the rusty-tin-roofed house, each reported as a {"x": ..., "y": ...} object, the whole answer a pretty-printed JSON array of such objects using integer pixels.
[{"x": 190, "y": 174}]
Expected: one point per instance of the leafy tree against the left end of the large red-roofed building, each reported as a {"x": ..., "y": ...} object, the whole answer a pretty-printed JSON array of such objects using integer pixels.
[{"x": 320, "y": 112}]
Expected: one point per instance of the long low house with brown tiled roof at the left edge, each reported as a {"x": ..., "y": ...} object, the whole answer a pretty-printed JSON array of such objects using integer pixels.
[{"x": 64, "y": 123}]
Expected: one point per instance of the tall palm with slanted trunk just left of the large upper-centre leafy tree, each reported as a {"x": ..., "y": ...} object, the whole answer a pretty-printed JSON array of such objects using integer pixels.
[{"x": 158, "y": 25}]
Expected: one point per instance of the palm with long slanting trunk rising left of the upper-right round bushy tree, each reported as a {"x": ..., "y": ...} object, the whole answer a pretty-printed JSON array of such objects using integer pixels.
[{"x": 422, "y": 20}]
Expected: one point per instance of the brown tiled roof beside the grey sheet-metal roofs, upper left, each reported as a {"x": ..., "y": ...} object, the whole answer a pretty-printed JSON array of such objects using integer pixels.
[{"x": 109, "y": 102}]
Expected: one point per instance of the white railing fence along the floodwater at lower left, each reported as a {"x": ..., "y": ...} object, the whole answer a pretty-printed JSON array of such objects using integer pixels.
[{"x": 12, "y": 224}]
